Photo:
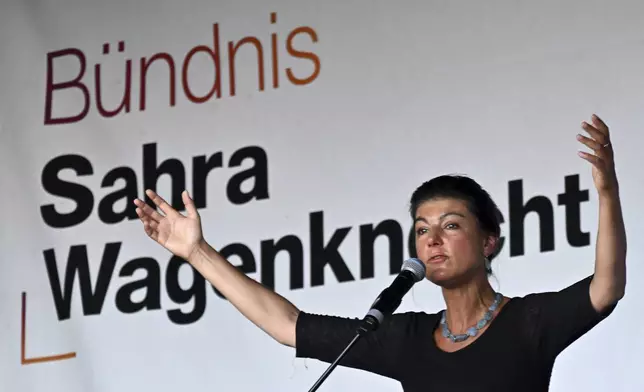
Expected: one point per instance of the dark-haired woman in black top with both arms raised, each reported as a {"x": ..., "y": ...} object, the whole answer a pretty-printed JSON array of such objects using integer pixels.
[{"x": 482, "y": 340}]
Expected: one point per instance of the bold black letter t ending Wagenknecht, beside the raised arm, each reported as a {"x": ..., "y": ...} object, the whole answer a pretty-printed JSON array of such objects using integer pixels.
[{"x": 572, "y": 199}]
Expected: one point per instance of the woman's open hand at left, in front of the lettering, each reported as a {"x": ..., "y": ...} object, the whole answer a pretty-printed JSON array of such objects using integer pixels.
[{"x": 180, "y": 234}]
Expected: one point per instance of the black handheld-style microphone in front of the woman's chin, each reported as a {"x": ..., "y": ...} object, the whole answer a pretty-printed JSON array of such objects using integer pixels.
[{"x": 412, "y": 271}]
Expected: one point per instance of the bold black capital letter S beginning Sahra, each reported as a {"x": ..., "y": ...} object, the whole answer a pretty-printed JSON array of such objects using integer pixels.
[{"x": 52, "y": 183}]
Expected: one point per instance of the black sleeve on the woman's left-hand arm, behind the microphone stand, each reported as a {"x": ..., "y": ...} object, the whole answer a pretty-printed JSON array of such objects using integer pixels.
[{"x": 381, "y": 352}]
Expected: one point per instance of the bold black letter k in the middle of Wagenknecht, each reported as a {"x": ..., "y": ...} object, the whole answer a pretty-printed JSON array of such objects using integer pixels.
[{"x": 322, "y": 255}]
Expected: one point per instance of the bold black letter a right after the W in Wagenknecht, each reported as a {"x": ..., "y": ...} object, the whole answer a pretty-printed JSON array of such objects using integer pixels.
[{"x": 151, "y": 283}]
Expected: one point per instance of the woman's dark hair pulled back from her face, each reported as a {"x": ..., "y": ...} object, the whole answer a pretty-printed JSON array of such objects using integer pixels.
[{"x": 466, "y": 189}]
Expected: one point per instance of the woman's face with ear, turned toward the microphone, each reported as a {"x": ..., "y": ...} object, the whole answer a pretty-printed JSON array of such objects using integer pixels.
[{"x": 450, "y": 242}]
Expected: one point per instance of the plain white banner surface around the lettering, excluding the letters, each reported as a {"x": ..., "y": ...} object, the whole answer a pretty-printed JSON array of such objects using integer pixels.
[{"x": 406, "y": 91}]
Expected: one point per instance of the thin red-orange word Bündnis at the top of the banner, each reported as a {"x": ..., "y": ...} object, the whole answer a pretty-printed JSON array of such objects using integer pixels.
[{"x": 146, "y": 80}]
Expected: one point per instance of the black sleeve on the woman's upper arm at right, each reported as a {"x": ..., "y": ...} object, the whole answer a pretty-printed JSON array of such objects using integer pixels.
[{"x": 564, "y": 316}]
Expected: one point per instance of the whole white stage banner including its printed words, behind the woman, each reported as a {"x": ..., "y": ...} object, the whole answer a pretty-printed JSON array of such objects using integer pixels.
[{"x": 300, "y": 125}]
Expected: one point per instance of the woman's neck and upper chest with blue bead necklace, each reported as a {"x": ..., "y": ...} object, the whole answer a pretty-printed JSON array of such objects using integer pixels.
[{"x": 467, "y": 304}]
